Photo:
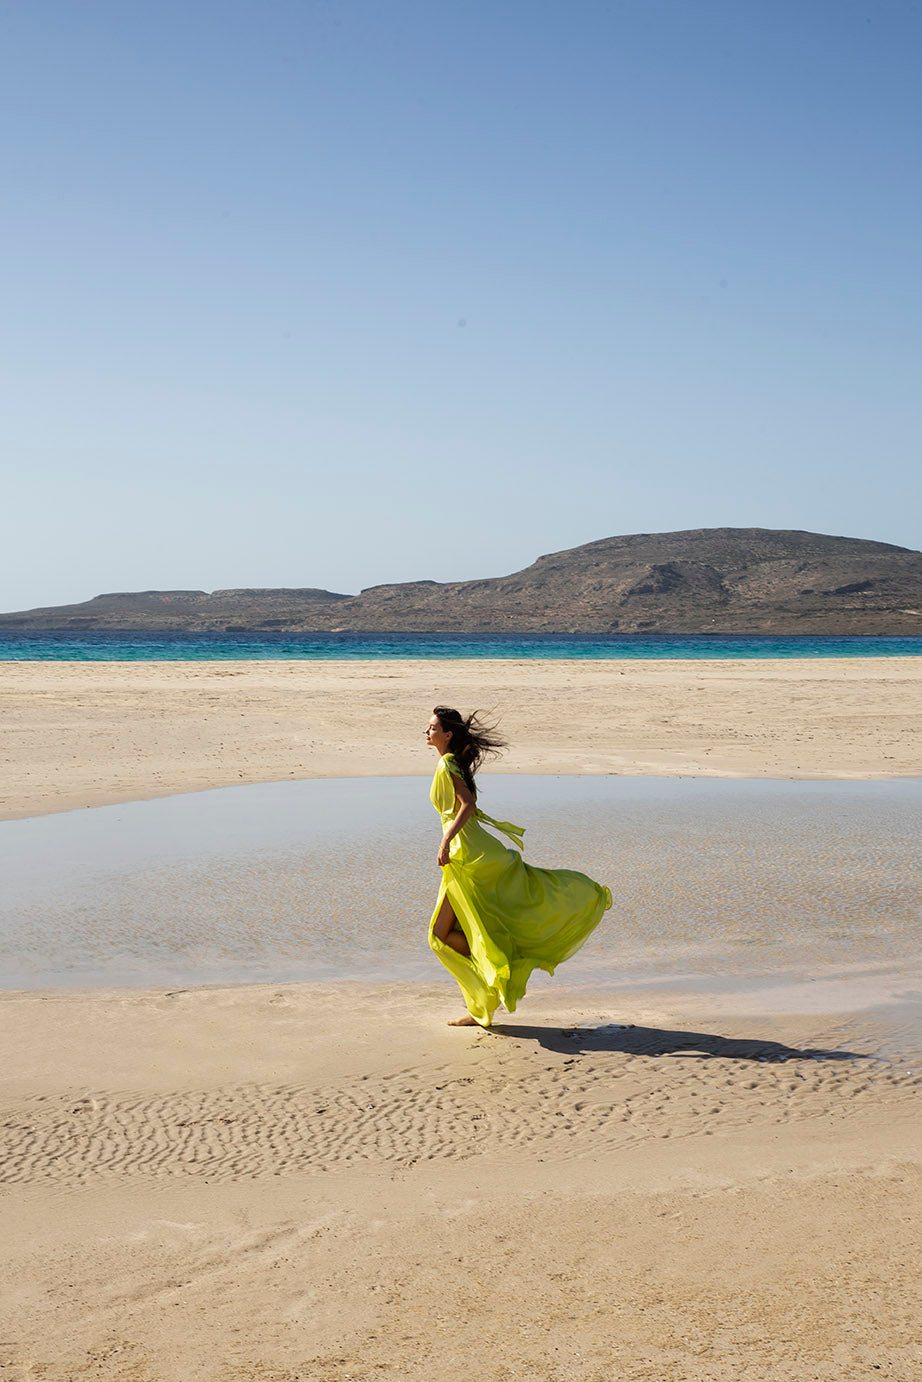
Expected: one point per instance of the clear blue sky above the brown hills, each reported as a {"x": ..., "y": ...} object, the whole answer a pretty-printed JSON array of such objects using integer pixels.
[{"x": 337, "y": 294}]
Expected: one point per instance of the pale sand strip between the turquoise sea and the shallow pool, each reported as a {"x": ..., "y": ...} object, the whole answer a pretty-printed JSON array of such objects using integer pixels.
[{"x": 85, "y": 733}]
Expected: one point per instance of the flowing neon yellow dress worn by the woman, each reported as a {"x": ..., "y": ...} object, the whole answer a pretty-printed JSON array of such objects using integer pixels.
[{"x": 516, "y": 918}]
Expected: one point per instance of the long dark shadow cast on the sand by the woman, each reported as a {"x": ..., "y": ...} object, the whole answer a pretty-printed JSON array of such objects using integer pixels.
[{"x": 657, "y": 1041}]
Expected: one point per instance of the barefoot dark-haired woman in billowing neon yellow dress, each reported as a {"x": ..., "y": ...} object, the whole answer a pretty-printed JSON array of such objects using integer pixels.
[{"x": 497, "y": 918}]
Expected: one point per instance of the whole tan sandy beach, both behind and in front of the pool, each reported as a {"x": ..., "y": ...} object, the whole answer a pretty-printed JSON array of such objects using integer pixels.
[{"x": 287, "y": 1182}]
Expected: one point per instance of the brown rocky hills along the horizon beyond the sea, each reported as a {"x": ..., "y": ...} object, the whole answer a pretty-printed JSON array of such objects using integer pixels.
[{"x": 706, "y": 580}]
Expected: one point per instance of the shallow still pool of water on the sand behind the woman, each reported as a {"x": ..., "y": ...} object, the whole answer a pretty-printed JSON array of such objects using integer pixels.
[{"x": 717, "y": 884}]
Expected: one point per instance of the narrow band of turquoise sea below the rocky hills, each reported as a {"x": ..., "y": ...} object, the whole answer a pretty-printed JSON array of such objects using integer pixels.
[{"x": 247, "y": 647}]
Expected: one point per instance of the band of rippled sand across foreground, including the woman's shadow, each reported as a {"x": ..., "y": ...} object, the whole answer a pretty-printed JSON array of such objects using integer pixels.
[{"x": 595, "y": 1101}]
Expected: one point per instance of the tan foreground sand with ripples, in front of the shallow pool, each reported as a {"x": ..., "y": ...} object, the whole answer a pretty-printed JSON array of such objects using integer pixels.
[{"x": 327, "y": 1184}]
